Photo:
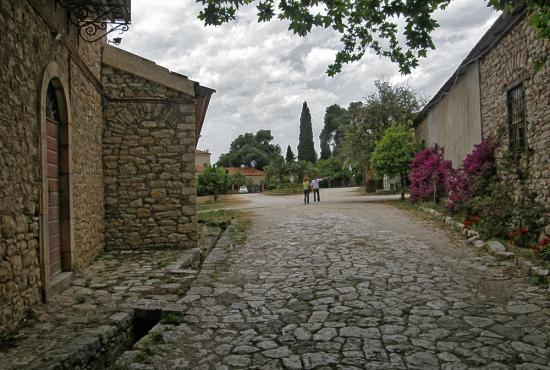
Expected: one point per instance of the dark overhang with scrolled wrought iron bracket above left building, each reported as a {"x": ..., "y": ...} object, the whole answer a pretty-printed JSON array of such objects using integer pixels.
[{"x": 97, "y": 19}]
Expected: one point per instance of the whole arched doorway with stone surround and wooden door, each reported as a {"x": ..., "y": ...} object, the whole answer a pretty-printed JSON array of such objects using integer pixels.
[{"x": 56, "y": 237}]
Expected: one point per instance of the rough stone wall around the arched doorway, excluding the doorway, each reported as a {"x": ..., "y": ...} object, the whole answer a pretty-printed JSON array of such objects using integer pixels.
[{"x": 27, "y": 47}]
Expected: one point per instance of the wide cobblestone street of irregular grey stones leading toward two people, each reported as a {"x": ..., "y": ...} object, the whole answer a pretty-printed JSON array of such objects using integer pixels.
[{"x": 350, "y": 284}]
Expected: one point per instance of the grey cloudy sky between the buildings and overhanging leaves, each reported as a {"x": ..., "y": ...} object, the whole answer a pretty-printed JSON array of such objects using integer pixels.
[{"x": 263, "y": 73}]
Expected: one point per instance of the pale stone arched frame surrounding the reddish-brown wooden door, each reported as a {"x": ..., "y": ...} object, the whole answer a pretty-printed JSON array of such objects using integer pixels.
[{"x": 54, "y": 75}]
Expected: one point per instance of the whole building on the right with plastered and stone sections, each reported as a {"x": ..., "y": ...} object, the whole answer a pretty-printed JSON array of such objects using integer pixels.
[{"x": 499, "y": 92}]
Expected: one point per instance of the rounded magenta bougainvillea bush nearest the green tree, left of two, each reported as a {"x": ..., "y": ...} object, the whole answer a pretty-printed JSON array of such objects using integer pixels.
[{"x": 429, "y": 170}]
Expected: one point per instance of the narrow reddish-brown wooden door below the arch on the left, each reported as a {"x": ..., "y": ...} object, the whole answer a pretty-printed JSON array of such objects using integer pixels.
[{"x": 54, "y": 198}]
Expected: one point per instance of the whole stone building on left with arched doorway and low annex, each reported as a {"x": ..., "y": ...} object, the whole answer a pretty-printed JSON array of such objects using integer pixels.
[{"x": 96, "y": 148}]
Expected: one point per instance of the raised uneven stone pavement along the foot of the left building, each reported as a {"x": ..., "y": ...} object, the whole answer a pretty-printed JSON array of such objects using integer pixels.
[{"x": 91, "y": 323}]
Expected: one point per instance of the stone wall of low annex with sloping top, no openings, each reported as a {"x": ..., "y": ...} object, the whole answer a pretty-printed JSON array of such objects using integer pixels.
[{"x": 149, "y": 164}]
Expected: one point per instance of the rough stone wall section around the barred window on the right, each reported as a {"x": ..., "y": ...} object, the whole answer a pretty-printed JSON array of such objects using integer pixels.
[{"x": 511, "y": 60}]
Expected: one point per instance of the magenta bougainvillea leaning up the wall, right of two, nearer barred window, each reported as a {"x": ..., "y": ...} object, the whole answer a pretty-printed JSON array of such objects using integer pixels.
[{"x": 476, "y": 168}]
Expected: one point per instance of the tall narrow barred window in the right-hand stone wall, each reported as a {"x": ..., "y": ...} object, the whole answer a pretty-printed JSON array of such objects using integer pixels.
[{"x": 516, "y": 118}]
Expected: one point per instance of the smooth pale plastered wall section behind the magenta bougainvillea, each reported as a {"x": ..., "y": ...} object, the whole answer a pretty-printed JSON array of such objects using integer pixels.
[{"x": 454, "y": 122}]
